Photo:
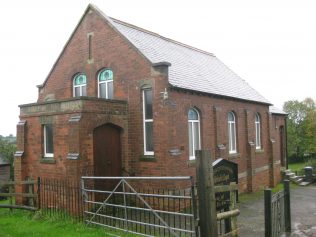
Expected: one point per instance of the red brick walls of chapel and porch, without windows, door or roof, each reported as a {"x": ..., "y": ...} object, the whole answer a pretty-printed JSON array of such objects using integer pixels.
[{"x": 75, "y": 119}]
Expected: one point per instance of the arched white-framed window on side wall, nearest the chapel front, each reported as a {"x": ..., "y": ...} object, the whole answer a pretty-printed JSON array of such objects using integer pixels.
[{"x": 194, "y": 132}]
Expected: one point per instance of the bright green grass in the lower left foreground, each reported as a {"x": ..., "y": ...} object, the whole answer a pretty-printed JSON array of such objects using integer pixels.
[{"x": 20, "y": 223}]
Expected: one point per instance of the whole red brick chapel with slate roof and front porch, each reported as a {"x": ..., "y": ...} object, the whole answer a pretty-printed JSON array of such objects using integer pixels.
[{"x": 121, "y": 100}]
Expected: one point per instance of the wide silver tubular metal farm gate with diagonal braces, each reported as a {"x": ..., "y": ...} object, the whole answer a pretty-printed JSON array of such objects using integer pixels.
[{"x": 141, "y": 205}]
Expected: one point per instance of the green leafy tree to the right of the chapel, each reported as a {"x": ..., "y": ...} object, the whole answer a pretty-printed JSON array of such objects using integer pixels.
[{"x": 301, "y": 127}]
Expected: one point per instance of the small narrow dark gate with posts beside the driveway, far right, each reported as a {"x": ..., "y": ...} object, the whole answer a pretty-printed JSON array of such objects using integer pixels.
[{"x": 277, "y": 211}]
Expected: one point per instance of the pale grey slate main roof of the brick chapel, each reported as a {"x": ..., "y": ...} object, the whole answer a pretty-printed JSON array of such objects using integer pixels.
[{"x": 191, "y": 68}]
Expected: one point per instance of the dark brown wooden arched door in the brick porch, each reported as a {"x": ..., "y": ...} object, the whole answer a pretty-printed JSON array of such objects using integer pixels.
[{"x": 107, "y": 150}]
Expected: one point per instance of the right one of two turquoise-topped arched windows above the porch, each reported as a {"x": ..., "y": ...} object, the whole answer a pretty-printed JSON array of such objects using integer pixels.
[{"x": 105, "y": 84}]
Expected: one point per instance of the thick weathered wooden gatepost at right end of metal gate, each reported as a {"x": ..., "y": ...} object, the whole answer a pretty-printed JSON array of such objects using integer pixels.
[{"x": 206, "y": 194}]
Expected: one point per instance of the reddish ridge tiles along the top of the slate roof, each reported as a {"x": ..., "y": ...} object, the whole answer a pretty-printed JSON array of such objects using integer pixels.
[{"x": 160, "y": 36}]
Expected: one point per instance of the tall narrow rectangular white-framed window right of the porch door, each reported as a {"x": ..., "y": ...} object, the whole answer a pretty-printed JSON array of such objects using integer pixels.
[{"x": 148, "y": 122}]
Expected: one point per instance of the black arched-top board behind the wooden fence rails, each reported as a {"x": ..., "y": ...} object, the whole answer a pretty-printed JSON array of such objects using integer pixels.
[{"x": 225, "y": 172}]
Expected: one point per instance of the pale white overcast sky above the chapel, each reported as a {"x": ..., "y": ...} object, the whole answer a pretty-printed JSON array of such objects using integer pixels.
[{"x": 271, "y": 43}]
